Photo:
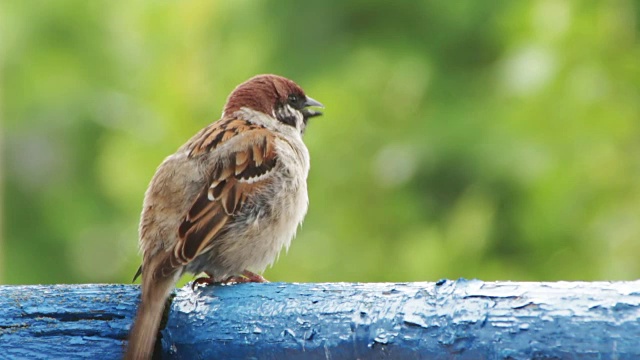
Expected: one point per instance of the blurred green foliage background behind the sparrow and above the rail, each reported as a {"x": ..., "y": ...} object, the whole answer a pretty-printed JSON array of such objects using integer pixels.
[{"x": 491, "y": 140}]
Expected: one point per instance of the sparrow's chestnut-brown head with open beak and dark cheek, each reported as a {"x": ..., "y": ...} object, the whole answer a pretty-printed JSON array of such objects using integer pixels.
[{"x": 276, "y": 96}]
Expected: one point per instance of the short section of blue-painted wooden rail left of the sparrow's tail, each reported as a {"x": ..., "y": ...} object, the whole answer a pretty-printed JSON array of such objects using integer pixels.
[{"x": 65, "y": 321}]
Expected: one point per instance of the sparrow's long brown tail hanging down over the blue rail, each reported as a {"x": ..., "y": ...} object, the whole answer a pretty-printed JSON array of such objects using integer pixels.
[{"x": 142, "y": 336}]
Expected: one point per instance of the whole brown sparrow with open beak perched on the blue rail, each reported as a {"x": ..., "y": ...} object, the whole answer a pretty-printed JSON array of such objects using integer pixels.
[{"x": 227, "y": 201}]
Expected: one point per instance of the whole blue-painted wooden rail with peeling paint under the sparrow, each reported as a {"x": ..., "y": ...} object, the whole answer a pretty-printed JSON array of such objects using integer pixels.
[{"x": 465, "y": 319}]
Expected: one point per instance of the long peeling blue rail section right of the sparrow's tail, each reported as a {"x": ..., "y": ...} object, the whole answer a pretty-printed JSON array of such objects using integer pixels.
[{"x": 465, "y": 319}]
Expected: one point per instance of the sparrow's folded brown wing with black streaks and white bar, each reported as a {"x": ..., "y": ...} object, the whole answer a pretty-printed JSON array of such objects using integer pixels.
[{"x": 236, "y": 173}]
